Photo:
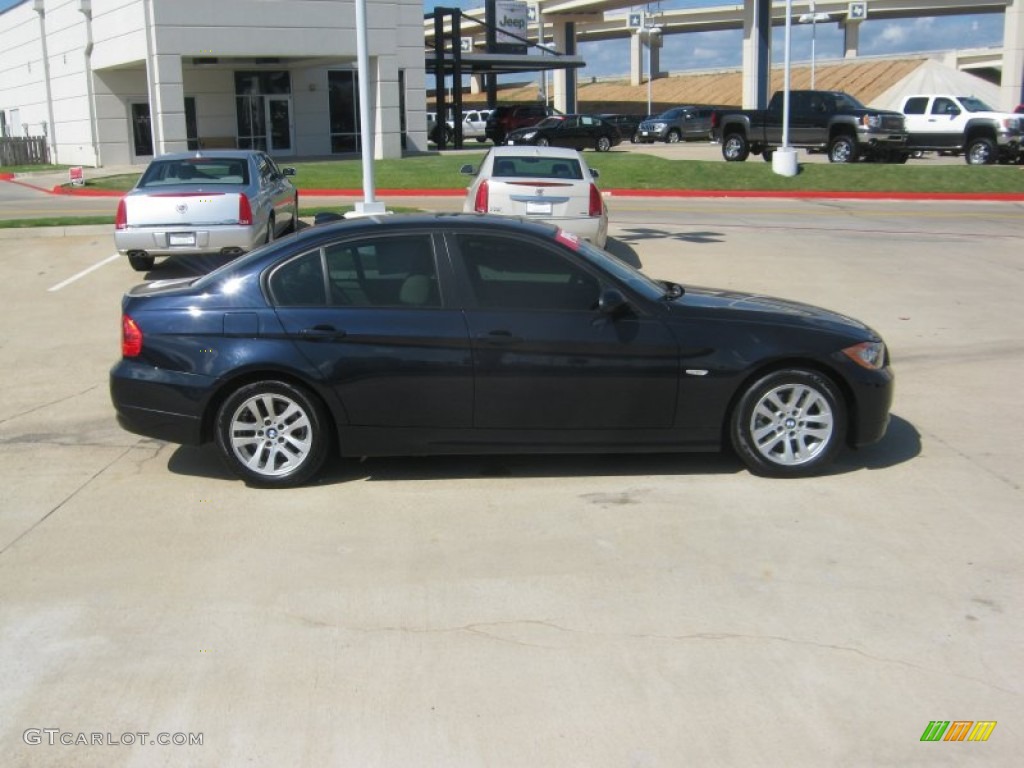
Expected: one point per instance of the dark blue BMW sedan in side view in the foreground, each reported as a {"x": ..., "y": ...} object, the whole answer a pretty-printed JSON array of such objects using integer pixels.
[{"x": 470, "y": 334}]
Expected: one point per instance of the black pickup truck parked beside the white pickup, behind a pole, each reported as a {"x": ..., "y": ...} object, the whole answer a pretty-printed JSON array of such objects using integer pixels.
[{"x": 831, "y": 121}]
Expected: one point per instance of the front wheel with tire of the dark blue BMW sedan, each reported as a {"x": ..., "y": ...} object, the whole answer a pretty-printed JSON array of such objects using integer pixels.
[{"x": 789, "y": 423}]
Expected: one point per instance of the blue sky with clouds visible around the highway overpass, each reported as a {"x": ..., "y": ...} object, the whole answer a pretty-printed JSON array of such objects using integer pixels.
[{"x": 702, "y": 51}]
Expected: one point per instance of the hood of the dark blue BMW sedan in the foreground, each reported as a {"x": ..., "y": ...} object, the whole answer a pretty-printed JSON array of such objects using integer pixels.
[{"x": 758, "y": 308}]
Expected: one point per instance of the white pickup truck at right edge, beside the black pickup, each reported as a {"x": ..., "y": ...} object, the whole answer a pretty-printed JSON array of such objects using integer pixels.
[{"x": 962, "y": 124}]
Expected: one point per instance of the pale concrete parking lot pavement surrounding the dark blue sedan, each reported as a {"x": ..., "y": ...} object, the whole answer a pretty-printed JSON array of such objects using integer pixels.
[{"x": 535, "y": 612}]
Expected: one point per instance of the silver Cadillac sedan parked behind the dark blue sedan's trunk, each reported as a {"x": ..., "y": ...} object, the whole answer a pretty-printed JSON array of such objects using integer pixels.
[{"x": 221, "y": 201}]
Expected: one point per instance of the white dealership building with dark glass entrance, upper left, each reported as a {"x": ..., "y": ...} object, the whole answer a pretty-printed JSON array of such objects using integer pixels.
[{"x": 111, "y": 82}]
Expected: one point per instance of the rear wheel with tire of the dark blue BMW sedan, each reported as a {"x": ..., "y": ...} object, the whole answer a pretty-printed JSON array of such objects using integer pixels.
[{"x": 273, "y": 435}]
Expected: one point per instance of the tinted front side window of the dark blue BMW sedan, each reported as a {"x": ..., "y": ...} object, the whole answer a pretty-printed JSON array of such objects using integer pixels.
[{"x": 511, "y": 274}]
